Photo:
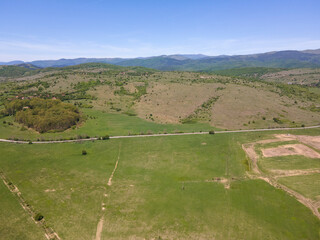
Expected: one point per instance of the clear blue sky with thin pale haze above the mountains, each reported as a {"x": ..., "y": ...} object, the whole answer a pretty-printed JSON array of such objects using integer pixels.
[{"x": 54, "y": 29}]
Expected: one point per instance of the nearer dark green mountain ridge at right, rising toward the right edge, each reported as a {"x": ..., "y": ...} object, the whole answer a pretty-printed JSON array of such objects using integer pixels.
[{"x": 282, "y": 59}]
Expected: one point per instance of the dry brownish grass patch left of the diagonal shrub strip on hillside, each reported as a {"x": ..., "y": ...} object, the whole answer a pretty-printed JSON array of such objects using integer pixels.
[{"x": 170, "y": 102}]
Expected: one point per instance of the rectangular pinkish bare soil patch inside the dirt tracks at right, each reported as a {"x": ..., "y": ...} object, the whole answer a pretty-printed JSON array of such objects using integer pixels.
[{"x": 290, "y": 149}]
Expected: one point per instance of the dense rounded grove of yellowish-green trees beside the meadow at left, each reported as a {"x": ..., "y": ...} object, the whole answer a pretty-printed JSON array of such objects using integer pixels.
[{"x": 43, "y": 114}]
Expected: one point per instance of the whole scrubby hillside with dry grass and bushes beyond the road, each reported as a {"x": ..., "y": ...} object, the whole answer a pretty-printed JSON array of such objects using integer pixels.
[{"x": 175, "y": 97}]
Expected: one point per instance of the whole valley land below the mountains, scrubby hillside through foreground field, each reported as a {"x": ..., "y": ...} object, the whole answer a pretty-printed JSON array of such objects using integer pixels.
[{"x": 141, "y": 164}]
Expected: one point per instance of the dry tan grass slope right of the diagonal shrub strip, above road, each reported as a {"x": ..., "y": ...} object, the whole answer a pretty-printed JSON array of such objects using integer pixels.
[{"x": 249, "y": 107}]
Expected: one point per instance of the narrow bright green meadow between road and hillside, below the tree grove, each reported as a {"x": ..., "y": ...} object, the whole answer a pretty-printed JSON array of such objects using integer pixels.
[{"x": 99, "y": 124}]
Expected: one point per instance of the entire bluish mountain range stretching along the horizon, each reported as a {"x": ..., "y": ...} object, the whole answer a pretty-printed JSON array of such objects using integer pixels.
[{"x": 199, "y": 62}]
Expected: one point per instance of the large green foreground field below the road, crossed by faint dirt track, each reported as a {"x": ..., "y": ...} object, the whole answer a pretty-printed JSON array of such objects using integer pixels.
[{"x": 159, "y": 189}]
